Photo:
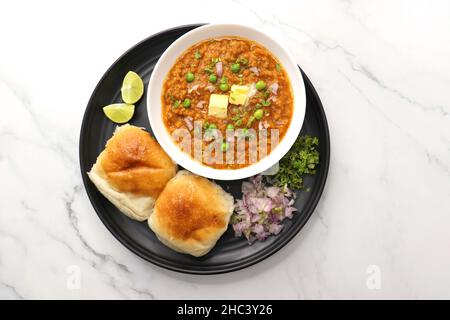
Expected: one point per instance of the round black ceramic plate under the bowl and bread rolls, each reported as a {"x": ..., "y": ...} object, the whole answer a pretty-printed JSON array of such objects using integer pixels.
[{"x": 230, "y": 253}]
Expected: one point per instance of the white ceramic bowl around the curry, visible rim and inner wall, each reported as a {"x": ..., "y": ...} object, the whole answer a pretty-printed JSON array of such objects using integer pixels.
[{"x": 167, "y": 60}]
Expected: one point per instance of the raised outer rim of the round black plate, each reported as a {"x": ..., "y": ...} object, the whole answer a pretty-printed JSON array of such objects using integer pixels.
[{"x": 229, "y": 267}]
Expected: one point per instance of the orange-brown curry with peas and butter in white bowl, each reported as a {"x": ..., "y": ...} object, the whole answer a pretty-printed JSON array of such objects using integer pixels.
[{"x": 221, "y": 67}]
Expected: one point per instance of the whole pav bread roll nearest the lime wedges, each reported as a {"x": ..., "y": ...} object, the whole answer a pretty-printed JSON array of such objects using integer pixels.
[{"x": 132, "y": 171}]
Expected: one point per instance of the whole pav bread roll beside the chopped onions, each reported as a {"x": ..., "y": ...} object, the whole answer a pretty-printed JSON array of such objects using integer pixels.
[{"x": 191, "y": 214}]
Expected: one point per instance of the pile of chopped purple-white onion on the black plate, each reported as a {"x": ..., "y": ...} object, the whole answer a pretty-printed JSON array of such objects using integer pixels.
[{"x": 261, "y": 210}]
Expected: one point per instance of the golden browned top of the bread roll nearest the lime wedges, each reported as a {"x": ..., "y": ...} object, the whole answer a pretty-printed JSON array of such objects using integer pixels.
[{"x": 134, "y": 162}]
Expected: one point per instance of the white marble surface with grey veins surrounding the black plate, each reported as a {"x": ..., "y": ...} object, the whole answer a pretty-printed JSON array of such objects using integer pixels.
[{"x": 382, "y": 69}]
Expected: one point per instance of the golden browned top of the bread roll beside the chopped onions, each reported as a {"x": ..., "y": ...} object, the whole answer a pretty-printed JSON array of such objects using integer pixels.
[{"x": 191, "y": 207}]
